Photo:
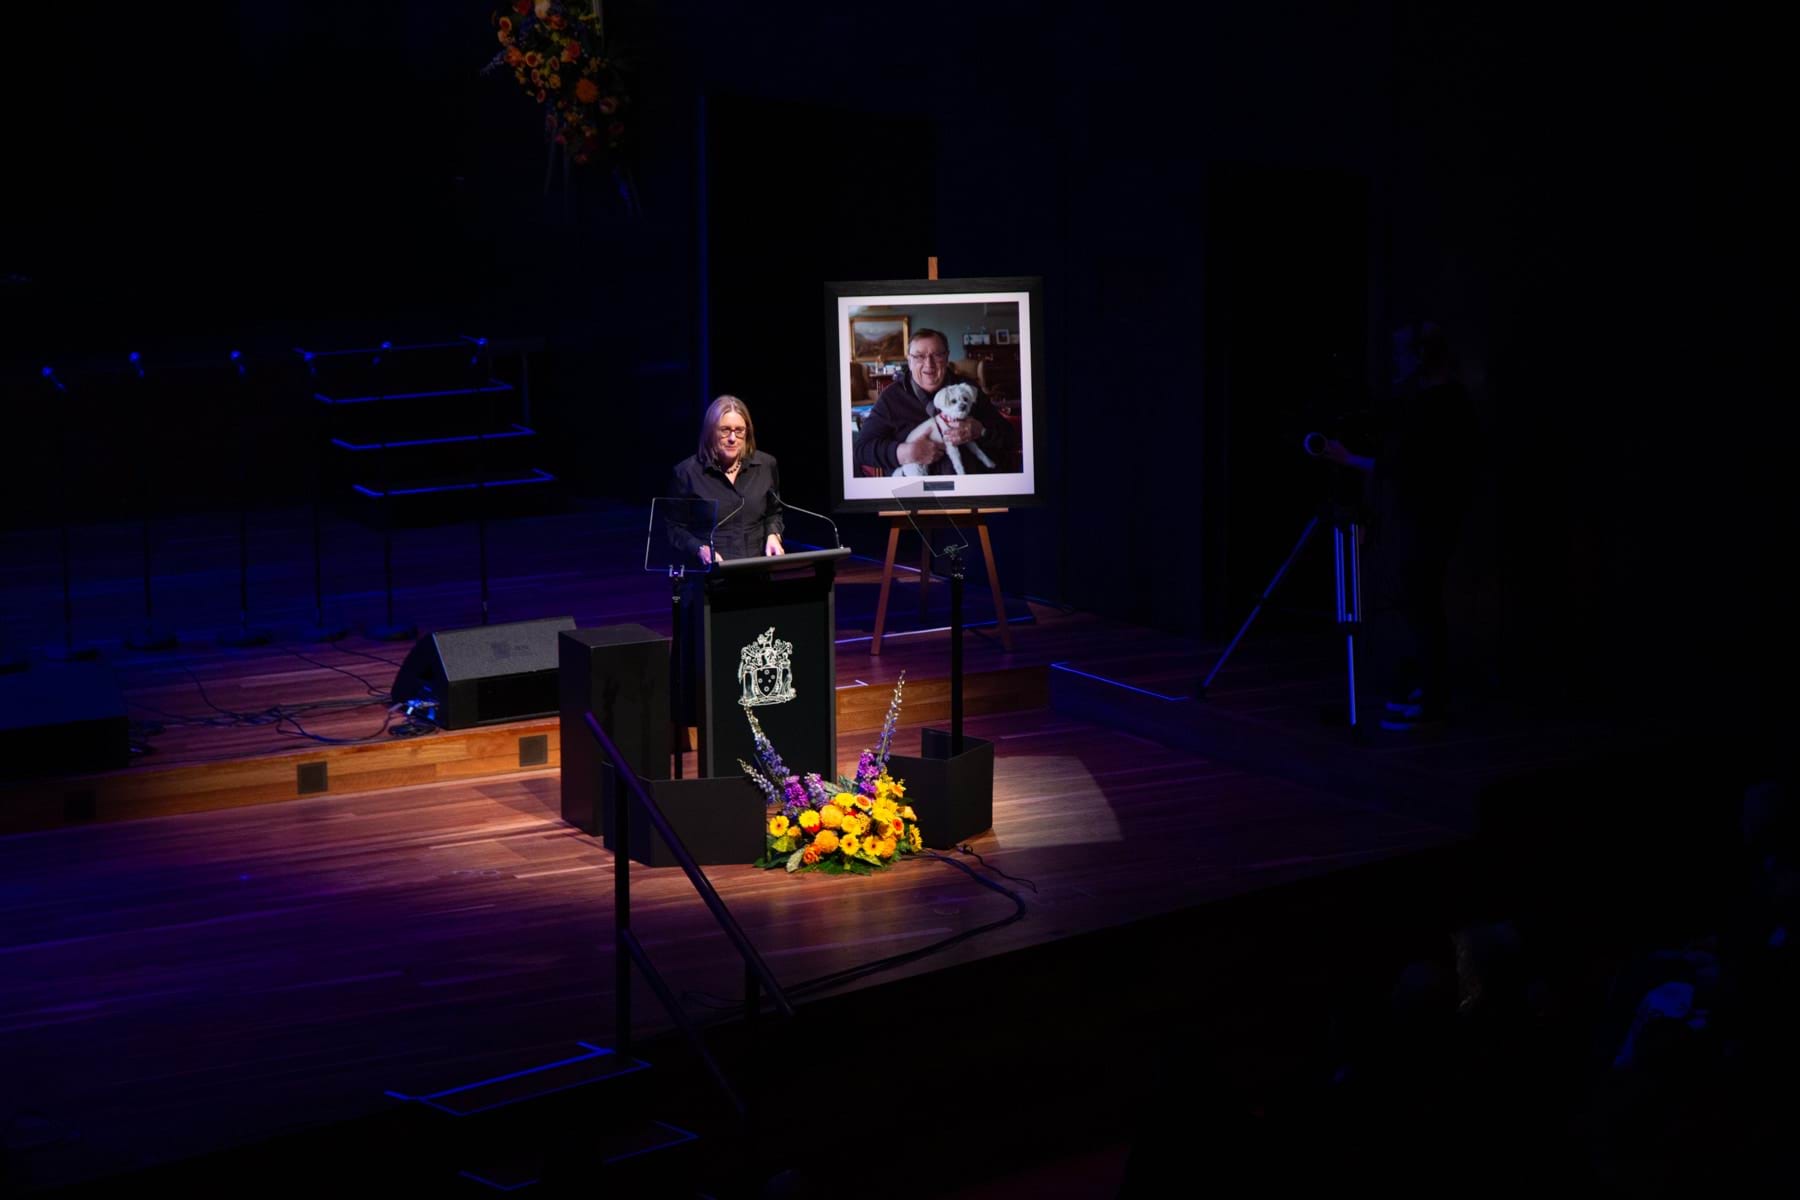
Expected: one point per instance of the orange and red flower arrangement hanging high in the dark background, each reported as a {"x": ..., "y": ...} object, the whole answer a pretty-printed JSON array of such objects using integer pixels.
[{"x": 561, "y": 60}]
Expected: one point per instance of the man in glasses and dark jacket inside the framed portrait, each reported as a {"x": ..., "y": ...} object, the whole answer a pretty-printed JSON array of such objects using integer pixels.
[{"x": 888, "y": 438}]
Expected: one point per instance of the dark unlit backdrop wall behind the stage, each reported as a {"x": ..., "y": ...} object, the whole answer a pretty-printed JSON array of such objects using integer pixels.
[{"x": 1588, "y": 202}]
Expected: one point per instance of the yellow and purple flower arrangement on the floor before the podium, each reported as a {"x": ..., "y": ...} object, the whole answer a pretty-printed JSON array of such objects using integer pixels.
[{"x": 854, "y": 827}]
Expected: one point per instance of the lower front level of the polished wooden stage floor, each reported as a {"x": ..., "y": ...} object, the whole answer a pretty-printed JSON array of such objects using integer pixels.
[{"x": 186, "y": 983}]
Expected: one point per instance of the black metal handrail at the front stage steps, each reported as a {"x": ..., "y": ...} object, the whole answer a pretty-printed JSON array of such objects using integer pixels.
[{"x": 757, "y": 974}]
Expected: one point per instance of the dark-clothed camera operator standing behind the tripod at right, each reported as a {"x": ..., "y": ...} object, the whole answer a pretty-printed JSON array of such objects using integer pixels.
[{"x": 1419, "y": 474}]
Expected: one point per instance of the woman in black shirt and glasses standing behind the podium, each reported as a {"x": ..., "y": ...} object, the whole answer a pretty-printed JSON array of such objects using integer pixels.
[{"x": 744, "y": 490}]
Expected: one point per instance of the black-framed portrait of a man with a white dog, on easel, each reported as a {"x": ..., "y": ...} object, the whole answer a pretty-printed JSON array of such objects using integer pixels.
[{"x": 883, "y": 460}]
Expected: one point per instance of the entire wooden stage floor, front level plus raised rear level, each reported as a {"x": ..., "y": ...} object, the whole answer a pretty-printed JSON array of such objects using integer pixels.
[{"x": 197, "y": 956}]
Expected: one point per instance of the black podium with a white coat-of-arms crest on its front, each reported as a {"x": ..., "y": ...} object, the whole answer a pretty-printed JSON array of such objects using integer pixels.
[{"x": 769, "y": 643}]
